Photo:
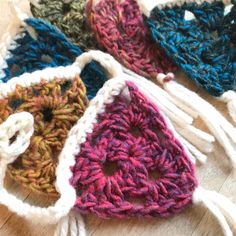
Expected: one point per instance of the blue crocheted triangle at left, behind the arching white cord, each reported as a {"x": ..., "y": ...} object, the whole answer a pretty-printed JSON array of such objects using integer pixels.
[{"x": 50, "y": 48}]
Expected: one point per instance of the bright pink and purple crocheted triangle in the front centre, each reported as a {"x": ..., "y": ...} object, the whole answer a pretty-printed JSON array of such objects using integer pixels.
[{"x": 133, "y": 135}]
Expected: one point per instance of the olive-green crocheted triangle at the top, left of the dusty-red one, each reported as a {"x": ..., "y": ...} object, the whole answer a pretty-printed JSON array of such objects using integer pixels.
[{"x": 69, "y": 17}]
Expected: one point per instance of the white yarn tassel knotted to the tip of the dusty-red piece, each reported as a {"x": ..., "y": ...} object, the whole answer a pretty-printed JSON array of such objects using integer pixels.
[{"x": 223, "y": 130}]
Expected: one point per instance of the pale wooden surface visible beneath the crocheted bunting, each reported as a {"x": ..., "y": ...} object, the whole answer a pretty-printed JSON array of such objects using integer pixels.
[{"x": 194, "y": 220}]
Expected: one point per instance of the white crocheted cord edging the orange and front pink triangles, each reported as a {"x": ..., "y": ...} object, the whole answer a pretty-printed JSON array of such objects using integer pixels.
[{"x": 77, "y": 135}]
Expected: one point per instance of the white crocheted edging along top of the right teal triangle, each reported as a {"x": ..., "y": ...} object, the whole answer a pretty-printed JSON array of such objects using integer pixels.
[{"x": 146, "y": 6}]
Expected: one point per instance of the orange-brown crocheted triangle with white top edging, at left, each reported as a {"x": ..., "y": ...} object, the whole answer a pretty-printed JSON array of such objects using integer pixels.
[{"x": 55, "y": 104}]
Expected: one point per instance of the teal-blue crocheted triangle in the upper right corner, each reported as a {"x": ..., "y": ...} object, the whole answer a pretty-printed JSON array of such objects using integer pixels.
[{"x": 204, "y": 47}]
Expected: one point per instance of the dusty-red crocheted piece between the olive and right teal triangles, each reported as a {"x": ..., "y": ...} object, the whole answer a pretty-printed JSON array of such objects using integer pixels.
[{"x": 119, "y": 27}]
